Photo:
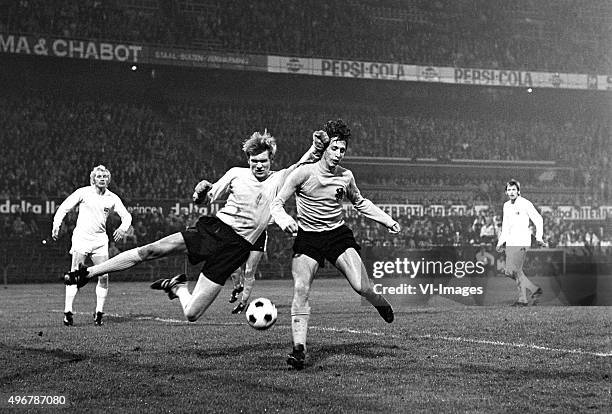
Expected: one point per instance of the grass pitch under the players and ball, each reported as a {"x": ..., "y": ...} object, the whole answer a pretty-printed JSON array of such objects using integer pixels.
[{"x": 433, "y": 358}]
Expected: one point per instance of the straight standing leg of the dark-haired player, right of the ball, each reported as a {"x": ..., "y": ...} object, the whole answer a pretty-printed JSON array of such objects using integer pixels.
[{"x": 303, "y": 269}]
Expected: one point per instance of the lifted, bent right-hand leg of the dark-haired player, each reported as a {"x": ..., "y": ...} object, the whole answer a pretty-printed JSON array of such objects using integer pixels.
[{"x": 351, "y": 265}]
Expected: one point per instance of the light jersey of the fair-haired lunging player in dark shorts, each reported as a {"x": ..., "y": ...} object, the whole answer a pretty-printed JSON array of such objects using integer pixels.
[{"x": 247, "y": 209}]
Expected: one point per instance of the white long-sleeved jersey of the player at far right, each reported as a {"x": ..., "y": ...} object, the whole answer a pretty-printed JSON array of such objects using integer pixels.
[{"x": 515, "y": 225}]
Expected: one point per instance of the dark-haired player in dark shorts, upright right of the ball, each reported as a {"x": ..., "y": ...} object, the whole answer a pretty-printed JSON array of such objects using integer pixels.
[{"x": 320, "y": 190}]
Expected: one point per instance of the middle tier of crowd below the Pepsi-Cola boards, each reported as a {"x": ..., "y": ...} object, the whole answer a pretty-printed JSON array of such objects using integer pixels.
[{"x": 50, "y": 145}]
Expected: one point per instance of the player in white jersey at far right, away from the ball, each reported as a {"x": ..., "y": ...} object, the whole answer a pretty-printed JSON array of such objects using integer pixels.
[{"x": 516, "y": 235}]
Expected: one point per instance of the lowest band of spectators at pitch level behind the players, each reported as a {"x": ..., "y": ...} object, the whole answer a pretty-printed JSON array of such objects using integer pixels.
[{"x": 577, "y": 238}]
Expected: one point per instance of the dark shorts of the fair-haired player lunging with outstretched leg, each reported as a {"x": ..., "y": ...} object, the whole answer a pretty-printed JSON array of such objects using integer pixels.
[{"x": 217, "y": 244}]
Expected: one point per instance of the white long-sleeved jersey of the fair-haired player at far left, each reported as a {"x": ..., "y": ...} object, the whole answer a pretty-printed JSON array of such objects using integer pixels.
[{"x": 94, "y": 209}]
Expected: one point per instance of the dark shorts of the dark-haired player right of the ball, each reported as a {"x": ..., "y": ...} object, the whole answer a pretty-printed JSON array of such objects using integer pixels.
[{"x": 321, "y": 245}]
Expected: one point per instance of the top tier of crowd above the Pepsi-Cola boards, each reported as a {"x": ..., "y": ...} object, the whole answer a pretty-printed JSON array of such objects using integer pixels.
[{"x": 549, "y": 35}]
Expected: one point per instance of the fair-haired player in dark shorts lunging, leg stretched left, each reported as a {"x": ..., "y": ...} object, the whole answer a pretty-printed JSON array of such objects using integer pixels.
[{"x": 223, "y": 241}]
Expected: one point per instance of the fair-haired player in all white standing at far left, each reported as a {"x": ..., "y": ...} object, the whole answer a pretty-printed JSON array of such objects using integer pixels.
[{"x": 89, "y": 238}]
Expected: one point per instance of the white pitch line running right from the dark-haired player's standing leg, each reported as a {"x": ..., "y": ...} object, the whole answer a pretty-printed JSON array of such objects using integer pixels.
[{"x": 473, "y": 341}]
